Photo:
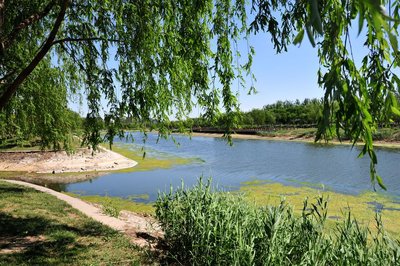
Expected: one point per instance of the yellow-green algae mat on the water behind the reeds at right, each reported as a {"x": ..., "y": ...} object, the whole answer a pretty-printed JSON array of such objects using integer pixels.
[{"x": 363, "y": 207}]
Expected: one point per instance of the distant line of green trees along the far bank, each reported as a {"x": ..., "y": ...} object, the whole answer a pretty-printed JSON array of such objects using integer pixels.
[{"x": 16, "y": 129}]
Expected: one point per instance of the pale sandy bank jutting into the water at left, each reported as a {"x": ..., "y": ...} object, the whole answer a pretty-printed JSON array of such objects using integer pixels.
[{"x": 60, "y": 162}]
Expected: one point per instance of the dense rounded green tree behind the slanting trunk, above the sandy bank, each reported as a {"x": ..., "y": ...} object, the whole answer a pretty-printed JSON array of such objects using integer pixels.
[{"x": 39, "y": 110}]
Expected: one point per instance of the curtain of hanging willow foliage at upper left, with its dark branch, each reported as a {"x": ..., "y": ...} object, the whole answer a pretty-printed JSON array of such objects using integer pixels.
[{"x": 158, "y": 52}]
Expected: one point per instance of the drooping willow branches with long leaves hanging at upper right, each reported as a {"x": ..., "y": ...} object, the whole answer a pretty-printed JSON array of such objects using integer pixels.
[{"x": 359, "y": 96}]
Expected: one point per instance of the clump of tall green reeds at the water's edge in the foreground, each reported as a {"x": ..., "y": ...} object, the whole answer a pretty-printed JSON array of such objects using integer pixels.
[{"x": 207, "y": 227}]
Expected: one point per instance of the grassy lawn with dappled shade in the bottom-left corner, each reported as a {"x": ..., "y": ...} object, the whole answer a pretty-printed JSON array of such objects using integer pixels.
[{"x": 38, "y": 229}]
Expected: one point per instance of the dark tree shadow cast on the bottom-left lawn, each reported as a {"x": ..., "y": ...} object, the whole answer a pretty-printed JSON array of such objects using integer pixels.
[{"x": 38, "y": 241}]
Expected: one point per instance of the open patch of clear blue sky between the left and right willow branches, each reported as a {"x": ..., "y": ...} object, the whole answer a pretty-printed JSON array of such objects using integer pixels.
[{"x": 290, "y": 75}]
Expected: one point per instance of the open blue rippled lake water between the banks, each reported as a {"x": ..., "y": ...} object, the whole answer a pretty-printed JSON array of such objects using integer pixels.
[{"x": 336, "y": 167}]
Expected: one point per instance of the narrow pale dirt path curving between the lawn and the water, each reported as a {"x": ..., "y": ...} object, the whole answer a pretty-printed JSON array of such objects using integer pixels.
[{"x": 142, "y": 230}]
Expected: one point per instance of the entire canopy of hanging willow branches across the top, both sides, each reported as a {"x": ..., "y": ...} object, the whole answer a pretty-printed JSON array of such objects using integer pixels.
[{"x": 153, "y": 59}]
